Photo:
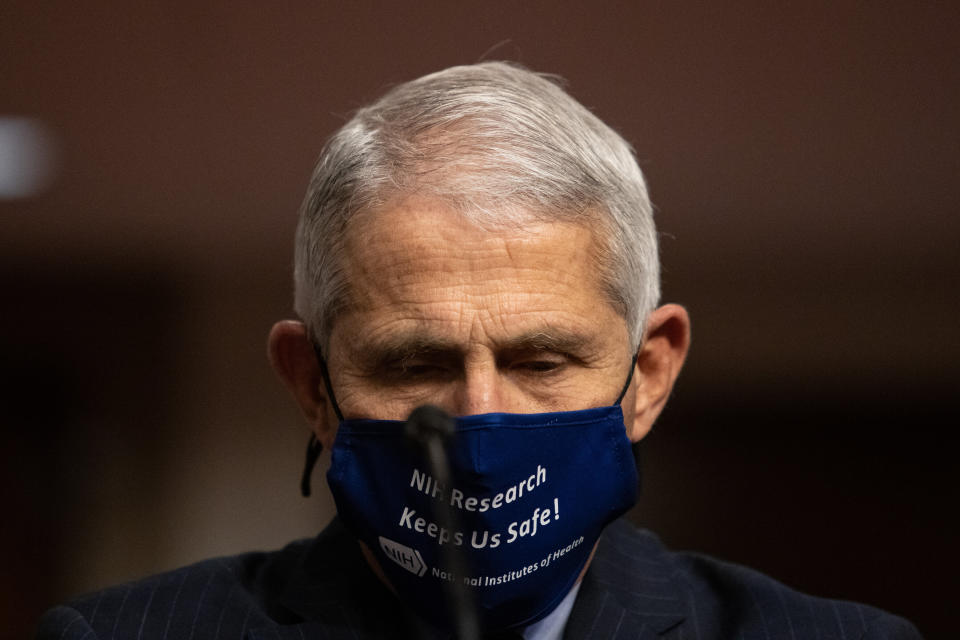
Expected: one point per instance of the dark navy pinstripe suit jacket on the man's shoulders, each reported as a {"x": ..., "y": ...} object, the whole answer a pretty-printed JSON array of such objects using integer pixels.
[{"x": 323, "y": 589}]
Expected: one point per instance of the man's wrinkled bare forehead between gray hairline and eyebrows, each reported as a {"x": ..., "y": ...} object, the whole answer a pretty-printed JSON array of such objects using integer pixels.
[{"x": 422, "y": 274}]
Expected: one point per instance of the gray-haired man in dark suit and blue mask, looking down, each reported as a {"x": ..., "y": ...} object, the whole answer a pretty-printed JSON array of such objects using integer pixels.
[{"x": 475, "y": 244}]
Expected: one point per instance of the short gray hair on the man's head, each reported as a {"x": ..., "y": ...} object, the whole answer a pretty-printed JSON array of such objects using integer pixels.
[{"x": 503, "y": 146}]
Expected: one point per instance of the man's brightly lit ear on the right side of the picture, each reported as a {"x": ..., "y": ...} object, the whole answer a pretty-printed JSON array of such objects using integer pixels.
[{"x": 666, "y": 340}]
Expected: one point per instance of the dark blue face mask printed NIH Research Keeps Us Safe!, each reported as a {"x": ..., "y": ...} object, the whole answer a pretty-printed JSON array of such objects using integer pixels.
[{"x": 531, "y": 494}]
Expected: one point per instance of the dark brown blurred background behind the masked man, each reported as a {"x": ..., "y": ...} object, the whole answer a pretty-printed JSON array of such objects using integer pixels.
[{"x": 804, "y": 161}]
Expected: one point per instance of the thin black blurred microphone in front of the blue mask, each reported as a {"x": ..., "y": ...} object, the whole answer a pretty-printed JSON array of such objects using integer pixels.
[{"x": 430, "y": 428}]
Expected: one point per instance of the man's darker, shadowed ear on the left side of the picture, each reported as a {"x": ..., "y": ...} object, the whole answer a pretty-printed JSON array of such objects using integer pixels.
[{"x": 292, "y": 356}]
